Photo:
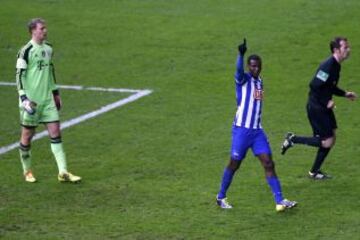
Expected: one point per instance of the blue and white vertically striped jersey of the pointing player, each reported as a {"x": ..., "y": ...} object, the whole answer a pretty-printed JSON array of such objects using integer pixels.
[{"x": 249, "y": 94}]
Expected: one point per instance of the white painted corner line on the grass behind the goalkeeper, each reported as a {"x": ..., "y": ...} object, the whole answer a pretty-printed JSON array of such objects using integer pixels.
[{"x": 137, "y": 94}]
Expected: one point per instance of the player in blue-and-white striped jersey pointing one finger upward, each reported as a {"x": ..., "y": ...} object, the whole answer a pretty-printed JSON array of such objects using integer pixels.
[{"x": 247, "y": 131}]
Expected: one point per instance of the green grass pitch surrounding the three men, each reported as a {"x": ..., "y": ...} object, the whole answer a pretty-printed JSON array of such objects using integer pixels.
[{"x": 152, "y": 168}]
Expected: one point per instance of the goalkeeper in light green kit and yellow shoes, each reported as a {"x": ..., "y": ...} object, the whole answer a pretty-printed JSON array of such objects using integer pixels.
[{"x": 39, "y": 99}]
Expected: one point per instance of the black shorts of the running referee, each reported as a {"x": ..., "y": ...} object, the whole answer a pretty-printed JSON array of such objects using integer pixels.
[{"x": 322, "y": 121}]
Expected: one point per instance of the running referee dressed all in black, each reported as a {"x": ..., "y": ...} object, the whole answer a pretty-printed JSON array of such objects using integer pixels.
[{"x": 320, "y": 107}]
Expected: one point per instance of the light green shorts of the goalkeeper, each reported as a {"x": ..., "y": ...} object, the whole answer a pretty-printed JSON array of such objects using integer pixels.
[{"x": 44, "y": 113}]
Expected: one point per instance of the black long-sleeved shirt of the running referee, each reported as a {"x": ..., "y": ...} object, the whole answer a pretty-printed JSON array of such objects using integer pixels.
[{"x": 324, "y": 83}]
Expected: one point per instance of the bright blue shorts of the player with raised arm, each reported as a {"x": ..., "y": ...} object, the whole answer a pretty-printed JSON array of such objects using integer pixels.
[{"x": 244, "y": 138}]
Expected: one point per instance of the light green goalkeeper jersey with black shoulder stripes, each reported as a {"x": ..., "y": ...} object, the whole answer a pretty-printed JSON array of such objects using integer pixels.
[{"x": 35, "y": 74}]
